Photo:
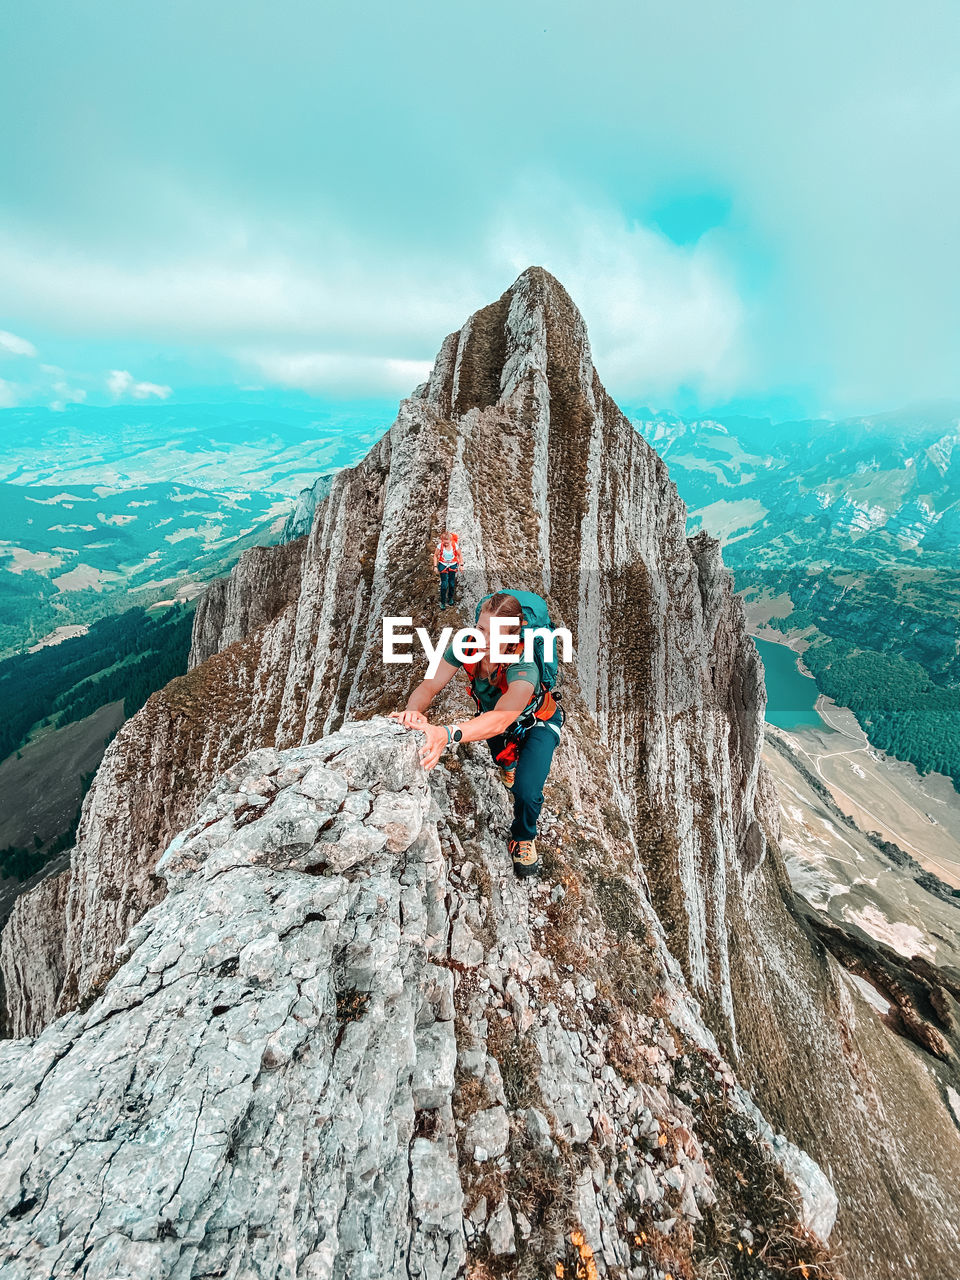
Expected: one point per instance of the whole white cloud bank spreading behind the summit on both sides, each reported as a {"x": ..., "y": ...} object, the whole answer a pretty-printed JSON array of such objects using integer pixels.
[{"x": 359, "y": 319}]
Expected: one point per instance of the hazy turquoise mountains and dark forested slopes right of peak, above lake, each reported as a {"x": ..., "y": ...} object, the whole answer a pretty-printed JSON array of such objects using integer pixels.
[{"x": 844, "y": 536}]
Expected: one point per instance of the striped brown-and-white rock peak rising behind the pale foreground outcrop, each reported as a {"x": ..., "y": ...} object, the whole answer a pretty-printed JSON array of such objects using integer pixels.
[{"x": 670, "y": 821}]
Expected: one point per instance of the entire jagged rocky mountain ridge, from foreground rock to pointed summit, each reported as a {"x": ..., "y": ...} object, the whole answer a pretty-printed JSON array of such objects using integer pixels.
[{"x": 337, "y": 1039}]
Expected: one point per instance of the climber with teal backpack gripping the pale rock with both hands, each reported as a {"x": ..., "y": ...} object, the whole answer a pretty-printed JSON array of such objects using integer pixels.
[{"x": 518, "y": 716}]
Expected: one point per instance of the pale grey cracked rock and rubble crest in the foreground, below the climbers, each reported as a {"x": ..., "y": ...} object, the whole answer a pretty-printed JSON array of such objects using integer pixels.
[{"x": 332, "y": 1052}]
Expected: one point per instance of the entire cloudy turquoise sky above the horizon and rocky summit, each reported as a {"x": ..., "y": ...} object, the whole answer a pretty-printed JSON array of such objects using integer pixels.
[{"x": 755, "y": 205}]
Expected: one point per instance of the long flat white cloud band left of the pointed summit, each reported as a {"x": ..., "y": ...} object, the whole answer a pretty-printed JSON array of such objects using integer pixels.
[{"x": 241, "y": 294}]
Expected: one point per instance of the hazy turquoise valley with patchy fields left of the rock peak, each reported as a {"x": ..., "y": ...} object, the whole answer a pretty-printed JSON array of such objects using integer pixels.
[{"x": 108, "y": 508}]
